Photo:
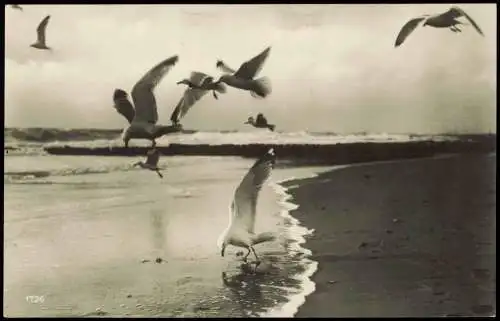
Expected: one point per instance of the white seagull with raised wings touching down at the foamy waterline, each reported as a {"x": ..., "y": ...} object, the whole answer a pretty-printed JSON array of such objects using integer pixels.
[{"x": 240, "y": 232}]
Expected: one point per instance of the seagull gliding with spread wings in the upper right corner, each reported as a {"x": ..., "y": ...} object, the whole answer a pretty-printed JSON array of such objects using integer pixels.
[{"x": 443, "y": 20}]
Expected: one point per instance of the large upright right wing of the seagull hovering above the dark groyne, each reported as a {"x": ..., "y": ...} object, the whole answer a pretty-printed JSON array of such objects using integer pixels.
[{"x": 143, "y": 95}]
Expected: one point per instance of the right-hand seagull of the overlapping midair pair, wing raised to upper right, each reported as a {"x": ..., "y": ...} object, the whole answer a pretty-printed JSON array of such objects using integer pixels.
[{"x": 244, "y": 77}]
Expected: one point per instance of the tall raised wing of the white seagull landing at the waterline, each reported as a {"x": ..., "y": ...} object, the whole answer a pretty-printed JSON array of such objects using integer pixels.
[{"x": 245, "y": 198}]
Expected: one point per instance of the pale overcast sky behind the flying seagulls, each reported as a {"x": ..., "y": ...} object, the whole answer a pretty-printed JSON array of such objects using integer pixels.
[{"x": 332, "y": 67}]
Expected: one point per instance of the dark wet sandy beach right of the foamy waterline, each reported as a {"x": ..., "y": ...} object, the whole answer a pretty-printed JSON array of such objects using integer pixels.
[{"x": 402, "y": 238}]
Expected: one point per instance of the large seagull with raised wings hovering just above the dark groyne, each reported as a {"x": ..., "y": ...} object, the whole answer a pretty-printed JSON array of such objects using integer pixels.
[{"x": 143, "y": 118}]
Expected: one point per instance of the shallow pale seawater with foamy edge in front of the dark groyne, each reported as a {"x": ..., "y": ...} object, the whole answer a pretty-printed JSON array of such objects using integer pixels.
[{"x": 83, "y": 235}]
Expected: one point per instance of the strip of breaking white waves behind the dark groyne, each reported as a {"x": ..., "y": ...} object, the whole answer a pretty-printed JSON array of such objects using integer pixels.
[{"x": 105, "y": 137}]
